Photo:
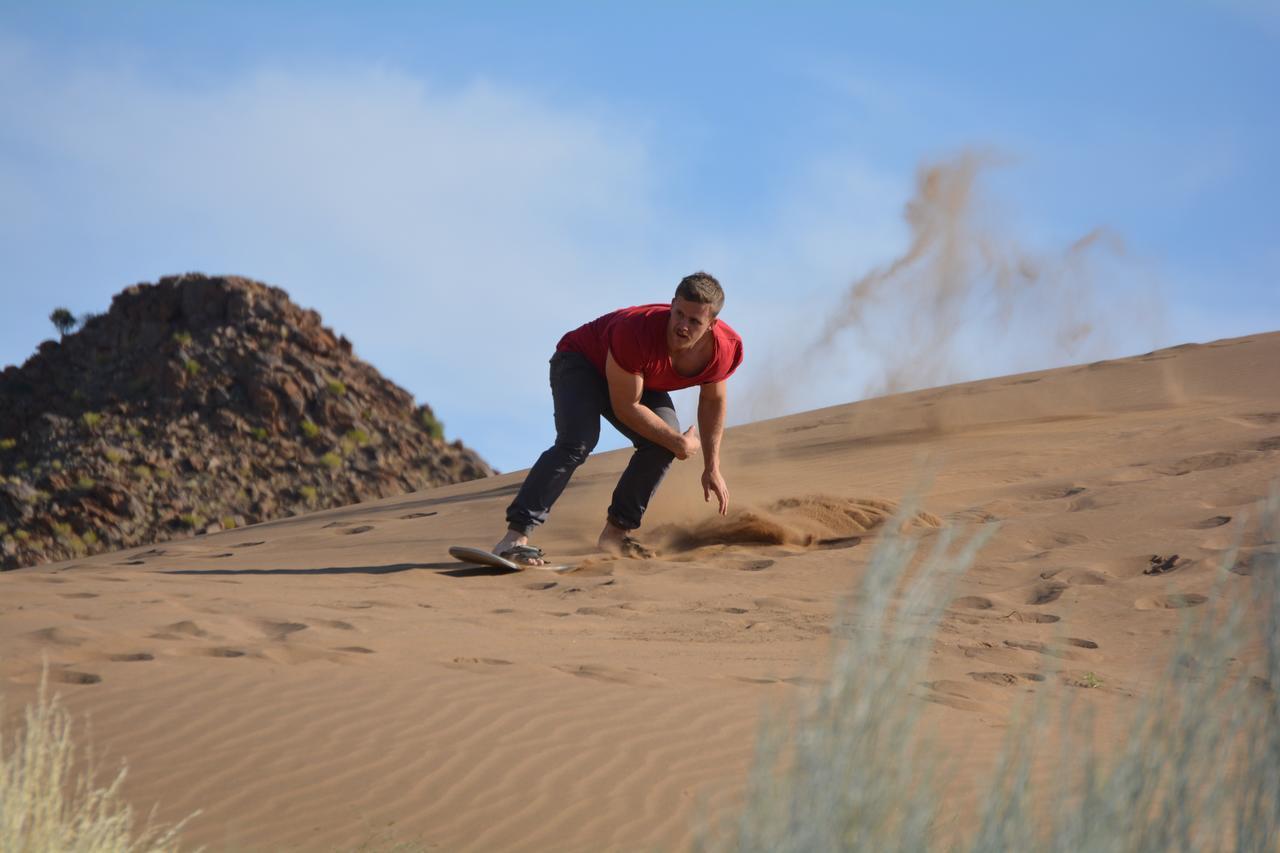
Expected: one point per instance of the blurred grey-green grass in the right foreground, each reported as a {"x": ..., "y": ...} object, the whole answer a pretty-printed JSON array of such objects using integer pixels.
[{"x": 853, "y": 770}]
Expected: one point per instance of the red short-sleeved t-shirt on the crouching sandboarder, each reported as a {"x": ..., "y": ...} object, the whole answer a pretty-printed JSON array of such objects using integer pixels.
[{"x": 638, "y": 339}]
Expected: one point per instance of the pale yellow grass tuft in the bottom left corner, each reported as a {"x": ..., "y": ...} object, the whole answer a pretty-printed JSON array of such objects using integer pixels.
[{"x": 47, "y": 805}]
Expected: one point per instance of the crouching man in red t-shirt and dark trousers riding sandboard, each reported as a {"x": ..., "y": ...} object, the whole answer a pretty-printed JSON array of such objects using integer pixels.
[{"x": 621, "y": 366}]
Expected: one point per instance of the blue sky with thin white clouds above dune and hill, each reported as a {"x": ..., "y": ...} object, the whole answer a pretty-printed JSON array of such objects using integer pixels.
[{"x": 454, "y": 186}]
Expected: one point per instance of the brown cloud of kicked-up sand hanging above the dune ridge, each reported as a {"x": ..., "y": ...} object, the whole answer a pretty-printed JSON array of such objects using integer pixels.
[{"x": 964, "y": 300}]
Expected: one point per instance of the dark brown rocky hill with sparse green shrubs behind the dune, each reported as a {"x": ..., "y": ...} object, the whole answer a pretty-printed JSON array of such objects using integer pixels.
[{"x": 200, "y": 404}]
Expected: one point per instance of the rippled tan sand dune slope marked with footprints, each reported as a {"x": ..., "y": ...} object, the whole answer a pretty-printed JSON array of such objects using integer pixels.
[{"x": 317, "y": 682}]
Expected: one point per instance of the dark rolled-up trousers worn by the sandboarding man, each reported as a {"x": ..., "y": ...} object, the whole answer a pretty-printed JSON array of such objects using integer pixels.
[{"x": 582, "y": 396}]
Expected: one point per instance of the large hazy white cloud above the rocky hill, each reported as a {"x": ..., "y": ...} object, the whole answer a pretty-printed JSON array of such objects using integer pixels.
[{"x": 454, "y": 235}]
